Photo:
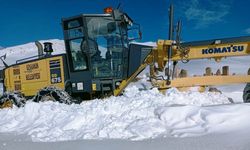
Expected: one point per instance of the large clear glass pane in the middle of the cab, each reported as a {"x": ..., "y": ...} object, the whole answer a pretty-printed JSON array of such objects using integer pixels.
[{"x": 105, "y": 46}]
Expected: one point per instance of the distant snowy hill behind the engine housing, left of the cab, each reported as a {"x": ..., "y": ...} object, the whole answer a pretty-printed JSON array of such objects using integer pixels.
[{"x": 27, "y": 50}]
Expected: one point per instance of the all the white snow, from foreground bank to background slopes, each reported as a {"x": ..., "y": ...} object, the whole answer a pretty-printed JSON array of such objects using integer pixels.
[{"x": 142, "y": 118}]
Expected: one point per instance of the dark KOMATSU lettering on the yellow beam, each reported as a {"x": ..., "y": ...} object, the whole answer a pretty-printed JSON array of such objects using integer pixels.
[{"x": 223, "y": 50}]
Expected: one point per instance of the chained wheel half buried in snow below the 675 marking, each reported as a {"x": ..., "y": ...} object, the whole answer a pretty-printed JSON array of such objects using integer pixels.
[{"x": 53, "y": 94}]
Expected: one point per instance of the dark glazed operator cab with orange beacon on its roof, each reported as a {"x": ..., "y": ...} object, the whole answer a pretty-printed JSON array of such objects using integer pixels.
[{"x": 97, "y": 50}]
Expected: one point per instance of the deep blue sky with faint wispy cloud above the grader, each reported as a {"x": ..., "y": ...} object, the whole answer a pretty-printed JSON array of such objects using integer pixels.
[{"x": 25, "y": 21}]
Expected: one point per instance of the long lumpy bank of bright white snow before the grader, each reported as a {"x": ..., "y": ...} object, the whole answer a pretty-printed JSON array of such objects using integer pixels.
[{"x": 136, "y": 115}]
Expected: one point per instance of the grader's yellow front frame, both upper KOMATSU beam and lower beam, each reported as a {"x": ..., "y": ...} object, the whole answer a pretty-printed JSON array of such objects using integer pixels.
[{"x": 211, "y": 49}]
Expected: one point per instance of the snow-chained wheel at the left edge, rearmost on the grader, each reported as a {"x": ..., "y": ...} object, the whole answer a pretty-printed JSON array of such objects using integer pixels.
[{"x": 8, "y": 99}]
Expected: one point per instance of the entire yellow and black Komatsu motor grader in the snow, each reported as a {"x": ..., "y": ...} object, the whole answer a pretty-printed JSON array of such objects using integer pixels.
[{"x": 100, "y": 60}]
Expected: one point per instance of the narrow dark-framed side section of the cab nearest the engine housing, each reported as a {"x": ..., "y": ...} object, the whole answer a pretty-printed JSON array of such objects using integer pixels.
[{"x": 77, "y": 54}]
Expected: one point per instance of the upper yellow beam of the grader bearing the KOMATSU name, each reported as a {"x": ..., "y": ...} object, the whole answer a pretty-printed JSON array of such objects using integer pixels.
[{"x": 204, "y": 51}]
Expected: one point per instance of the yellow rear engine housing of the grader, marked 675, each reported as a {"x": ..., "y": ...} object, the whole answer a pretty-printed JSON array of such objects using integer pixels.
[{"x": 30, "y": 77}]
